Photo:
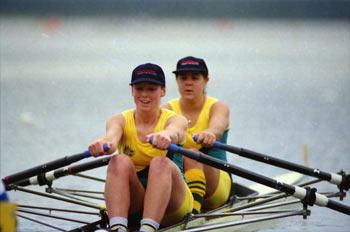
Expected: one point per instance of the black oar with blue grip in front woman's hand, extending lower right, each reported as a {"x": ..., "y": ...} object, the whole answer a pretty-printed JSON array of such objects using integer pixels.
[{"x": 308, "y": 196}]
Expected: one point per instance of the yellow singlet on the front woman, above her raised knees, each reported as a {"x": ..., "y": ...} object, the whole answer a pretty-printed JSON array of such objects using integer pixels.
[{"x": 140, "y": 153}]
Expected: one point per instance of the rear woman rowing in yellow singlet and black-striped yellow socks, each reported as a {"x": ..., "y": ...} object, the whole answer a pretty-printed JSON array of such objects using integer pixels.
[{"x": 208, "y": 119}]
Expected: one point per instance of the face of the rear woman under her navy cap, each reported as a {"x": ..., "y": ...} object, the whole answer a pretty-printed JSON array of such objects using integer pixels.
[{"x": 191, "y": 84}]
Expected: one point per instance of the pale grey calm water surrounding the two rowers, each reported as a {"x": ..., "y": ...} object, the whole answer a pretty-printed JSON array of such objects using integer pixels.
[{"x": 287, "y": 83}]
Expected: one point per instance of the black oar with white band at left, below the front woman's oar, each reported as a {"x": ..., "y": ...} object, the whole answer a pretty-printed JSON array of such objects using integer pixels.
[{"x": 46, "y": 178}]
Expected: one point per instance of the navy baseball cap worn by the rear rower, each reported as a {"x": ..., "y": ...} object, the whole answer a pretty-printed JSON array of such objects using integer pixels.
[{"x": 191, "y": 63}]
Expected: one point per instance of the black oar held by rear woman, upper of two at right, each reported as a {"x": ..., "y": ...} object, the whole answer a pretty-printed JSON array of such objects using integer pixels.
[{"x": 343, "y": 182}]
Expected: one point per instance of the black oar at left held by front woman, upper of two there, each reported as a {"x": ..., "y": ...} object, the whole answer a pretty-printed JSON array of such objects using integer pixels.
[{"x": 48, "y": 166}]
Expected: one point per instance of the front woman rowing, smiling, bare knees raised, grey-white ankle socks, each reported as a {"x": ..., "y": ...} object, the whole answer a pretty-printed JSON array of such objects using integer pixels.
[{"x": 144, "y": 176}]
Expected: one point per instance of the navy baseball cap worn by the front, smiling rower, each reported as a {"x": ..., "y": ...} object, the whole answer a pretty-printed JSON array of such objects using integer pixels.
[{"x": 148, "y": 73}]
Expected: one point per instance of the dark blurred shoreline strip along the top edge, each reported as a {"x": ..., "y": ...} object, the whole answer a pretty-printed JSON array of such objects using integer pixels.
[{"x": 182, "y": 8}]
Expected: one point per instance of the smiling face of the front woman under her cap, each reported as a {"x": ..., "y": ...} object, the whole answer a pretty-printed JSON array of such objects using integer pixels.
[{"x": 147, "y": 95}]
